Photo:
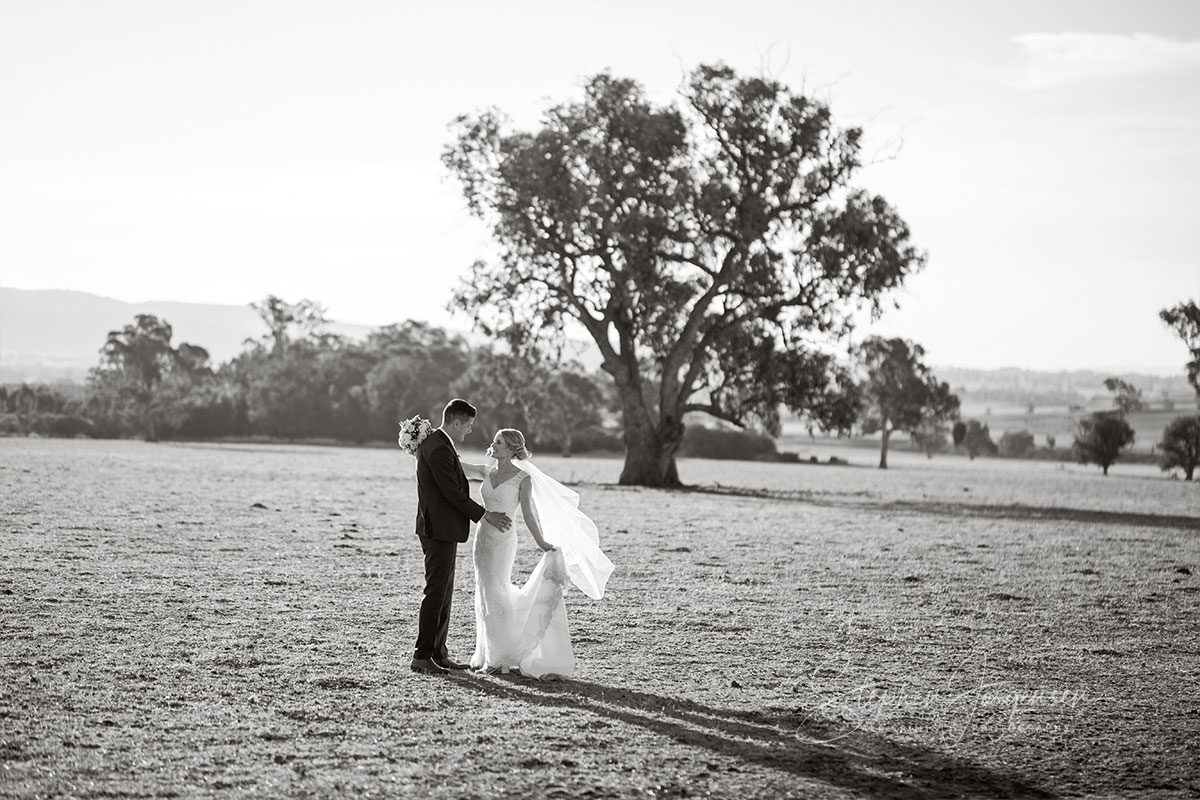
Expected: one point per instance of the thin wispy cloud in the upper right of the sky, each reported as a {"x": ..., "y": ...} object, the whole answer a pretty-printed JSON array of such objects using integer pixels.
[{"x": 1058, "y": 59}]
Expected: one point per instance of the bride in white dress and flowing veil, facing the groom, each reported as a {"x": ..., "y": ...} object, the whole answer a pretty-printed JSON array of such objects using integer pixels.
[{"x": 525, "y": 628}]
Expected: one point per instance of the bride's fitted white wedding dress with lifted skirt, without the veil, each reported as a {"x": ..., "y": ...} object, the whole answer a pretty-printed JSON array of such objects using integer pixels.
[{"x": 518, "y": 627}]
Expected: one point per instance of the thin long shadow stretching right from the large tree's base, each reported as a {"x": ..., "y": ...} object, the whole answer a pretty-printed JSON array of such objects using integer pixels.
[{"x": 958, "y": 510}]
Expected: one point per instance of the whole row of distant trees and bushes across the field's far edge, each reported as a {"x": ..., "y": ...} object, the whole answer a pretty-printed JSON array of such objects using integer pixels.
[{"x": 298, "y": 382}]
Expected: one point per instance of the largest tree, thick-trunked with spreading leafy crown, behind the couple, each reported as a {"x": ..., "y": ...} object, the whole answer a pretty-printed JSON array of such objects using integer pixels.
[{"x": 715, "y": 249}]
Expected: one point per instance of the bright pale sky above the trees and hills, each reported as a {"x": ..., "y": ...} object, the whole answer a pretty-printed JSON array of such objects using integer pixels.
[{"x": 1047, "y": 154}]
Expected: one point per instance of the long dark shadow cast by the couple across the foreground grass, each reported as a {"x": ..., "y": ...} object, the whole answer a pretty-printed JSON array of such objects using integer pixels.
[{"x": 812, "y": 748}]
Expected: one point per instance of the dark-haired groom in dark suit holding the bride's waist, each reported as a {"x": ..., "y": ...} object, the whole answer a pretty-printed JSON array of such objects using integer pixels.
[{"x": 445, "y": 513}]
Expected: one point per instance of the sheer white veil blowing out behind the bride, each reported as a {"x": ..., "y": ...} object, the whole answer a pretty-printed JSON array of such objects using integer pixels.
[{"x": 569, "y": 530}]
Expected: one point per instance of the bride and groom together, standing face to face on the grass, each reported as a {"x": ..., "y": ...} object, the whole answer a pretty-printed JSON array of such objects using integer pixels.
[{"x": 518, "y": 628}]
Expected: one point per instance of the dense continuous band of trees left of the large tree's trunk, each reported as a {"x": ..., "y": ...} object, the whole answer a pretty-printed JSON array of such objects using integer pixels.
[{"x": 298, "y": 382}]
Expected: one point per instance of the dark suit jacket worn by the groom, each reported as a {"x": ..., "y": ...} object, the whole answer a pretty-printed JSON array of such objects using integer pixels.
[{"x": 445, "y": 509}]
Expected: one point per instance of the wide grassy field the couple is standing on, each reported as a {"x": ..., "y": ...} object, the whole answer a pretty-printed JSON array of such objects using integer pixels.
[{"x": 220, "y": 621}]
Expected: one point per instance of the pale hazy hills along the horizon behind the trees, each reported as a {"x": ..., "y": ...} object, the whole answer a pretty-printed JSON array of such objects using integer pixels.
[{"x": 49, "y": 336}]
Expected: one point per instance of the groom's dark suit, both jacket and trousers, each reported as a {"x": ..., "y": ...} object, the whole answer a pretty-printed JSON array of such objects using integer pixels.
[{"x": 445, "y": 513}]
